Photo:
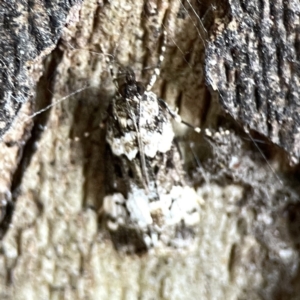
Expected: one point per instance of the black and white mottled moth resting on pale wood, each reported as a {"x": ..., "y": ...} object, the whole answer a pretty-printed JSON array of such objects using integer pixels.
[{"x": 149, "y": 203}]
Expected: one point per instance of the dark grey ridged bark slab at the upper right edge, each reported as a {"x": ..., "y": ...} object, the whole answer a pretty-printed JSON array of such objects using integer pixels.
[{"x": 253, "y": 62}]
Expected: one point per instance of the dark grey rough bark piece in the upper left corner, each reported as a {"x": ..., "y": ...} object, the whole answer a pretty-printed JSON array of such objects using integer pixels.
[{"x": 29, "y": 30}]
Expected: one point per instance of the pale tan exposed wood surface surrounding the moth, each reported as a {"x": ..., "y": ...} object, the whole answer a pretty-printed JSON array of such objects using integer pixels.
[{"x": 52, "y": 170}]
